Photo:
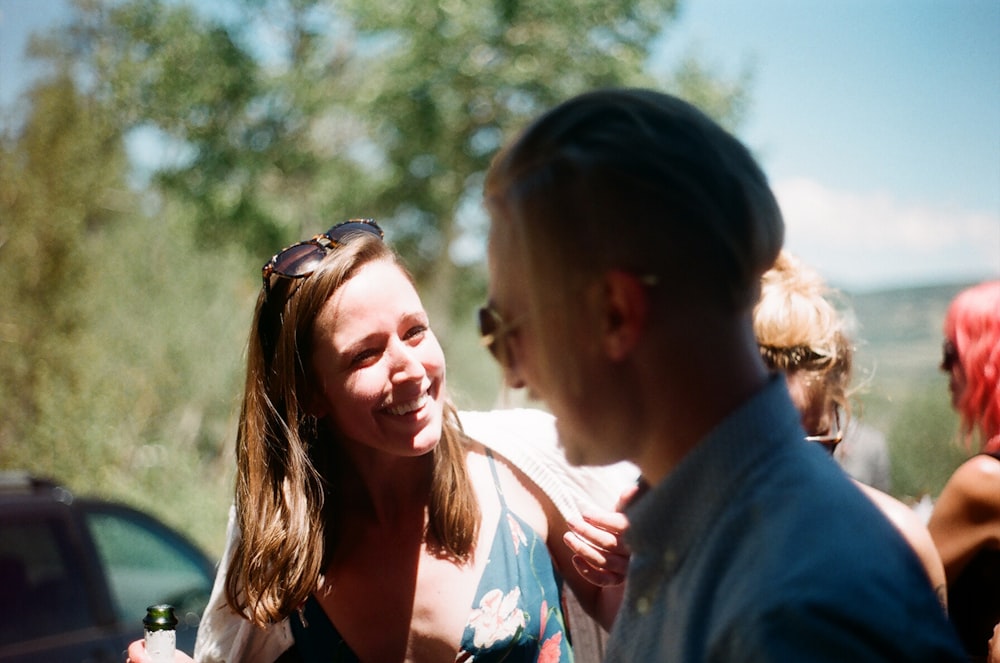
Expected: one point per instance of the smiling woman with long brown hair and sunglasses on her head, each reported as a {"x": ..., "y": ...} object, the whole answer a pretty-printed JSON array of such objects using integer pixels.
[{"x": 368, "y": 526}]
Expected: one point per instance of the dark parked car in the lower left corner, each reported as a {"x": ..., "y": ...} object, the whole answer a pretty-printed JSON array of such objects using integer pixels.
[{"x": 76, "y": 575}]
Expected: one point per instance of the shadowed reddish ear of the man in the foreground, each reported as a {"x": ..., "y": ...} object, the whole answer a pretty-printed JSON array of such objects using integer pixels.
[{"x": 626, "y": 312}]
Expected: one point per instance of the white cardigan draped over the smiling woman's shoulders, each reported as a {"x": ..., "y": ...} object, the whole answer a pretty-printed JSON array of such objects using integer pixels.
[{"x": 526, "y": 438}]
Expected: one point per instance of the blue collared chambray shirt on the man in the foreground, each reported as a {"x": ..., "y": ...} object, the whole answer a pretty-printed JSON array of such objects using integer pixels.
[{"x": 758, "y": 547}]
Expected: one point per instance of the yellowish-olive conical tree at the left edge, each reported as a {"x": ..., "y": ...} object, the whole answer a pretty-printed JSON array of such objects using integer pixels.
[{"x": 61, "y": 183}]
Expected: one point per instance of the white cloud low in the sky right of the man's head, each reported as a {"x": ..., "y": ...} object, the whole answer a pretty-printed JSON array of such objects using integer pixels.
[{"x": 870, "y": 241}]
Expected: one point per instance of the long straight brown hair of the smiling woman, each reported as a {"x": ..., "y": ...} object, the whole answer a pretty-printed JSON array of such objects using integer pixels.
[{"x": 287, "y": 461}]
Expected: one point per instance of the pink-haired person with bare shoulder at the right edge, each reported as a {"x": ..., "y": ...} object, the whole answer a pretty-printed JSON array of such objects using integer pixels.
[{"x": 965, "y": 522}]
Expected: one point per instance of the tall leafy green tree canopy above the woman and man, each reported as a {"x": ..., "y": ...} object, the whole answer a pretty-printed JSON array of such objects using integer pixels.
[{"x": 370, "y": 107}]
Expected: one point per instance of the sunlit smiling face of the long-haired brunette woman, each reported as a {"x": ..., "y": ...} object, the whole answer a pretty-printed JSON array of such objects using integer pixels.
[{"x": 378, "y": 365}]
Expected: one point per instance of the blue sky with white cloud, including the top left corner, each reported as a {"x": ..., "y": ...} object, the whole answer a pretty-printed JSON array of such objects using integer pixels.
[{"x": 878, "y": 122}]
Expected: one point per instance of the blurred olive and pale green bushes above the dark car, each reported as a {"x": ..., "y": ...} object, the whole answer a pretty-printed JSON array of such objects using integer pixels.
[{"x": 119, "y": 340}]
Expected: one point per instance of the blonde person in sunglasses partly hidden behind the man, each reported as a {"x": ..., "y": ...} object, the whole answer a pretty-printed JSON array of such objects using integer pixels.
[{"x": 802, "y": 334}]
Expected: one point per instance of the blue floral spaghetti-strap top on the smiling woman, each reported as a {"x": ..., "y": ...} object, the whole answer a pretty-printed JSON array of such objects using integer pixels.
[{"x": 516, "y": 616}]
